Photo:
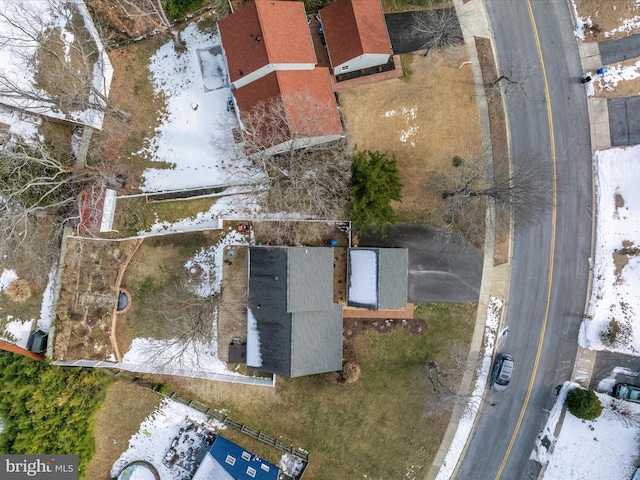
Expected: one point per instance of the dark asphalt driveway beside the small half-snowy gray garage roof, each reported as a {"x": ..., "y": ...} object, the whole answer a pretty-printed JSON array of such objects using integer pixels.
[{"x": 442, "y": 268}]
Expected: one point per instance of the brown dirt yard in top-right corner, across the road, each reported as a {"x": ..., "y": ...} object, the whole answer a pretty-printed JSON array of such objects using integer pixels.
[{"x": 607, "y": 15}]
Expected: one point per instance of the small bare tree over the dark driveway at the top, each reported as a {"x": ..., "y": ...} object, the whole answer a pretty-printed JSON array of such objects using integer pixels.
[{"x": 439, "y": 27}]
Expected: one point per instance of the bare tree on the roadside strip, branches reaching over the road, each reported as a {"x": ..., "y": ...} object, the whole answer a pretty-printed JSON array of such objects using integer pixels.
[{"x": 525, "y": 192}]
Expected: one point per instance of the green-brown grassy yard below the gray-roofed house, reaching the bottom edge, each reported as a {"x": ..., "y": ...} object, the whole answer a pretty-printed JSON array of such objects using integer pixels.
[{"x": 387, "y": 425}]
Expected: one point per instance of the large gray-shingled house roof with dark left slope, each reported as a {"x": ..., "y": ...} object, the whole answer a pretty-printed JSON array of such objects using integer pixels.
[{"x": 295, "y": 327}]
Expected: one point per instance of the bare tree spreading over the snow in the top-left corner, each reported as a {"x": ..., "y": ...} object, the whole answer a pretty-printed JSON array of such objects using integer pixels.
[{"x": 68, "y": 64}]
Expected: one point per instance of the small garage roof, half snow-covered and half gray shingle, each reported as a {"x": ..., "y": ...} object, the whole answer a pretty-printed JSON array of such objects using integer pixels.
[{"x": 378, "y": 278}]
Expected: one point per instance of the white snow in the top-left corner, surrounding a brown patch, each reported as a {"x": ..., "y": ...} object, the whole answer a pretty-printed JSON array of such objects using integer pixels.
[{"x": 32, "y": 19}]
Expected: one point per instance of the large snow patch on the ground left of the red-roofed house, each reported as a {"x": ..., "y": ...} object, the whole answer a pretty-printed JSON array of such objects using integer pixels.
[{"x": 195, "y": 135}]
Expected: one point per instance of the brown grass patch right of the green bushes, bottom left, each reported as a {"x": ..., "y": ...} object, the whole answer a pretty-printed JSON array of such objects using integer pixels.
[{"x": 119, "y": 417}]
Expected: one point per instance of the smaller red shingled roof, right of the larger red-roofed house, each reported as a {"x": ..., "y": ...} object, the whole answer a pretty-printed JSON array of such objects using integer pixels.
[{"x": 353, "y": 28}]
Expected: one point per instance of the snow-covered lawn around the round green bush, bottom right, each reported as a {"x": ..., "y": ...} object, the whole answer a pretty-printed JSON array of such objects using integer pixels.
[{"x": 604, "y": 448}]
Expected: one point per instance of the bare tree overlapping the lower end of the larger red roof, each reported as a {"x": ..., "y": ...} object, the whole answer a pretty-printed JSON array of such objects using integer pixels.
[{"x": 301, "y": 178}]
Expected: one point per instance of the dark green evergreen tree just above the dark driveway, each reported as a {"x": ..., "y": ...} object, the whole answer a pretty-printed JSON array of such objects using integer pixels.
[{"x": 375, "y": 182}]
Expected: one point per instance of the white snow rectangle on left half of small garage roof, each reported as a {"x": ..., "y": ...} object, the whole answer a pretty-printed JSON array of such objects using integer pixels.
[{"x": 363, "y": 277}]
